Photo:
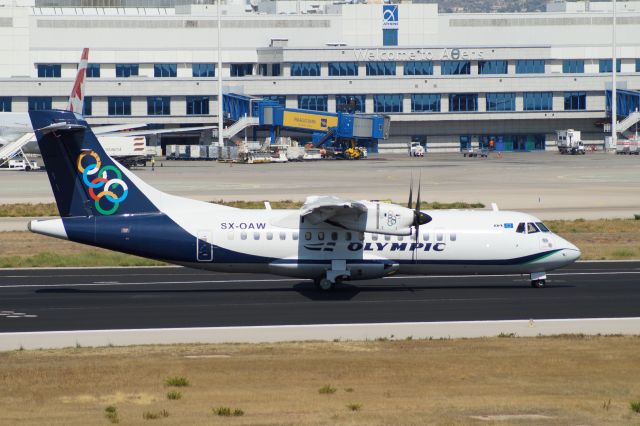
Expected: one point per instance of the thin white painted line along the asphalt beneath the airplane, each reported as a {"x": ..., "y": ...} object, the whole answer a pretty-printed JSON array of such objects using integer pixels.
[{"x": 405, "y": 277}]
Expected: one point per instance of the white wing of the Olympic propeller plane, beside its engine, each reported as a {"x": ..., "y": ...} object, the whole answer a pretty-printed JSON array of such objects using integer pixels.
[{"x": 333, "y": 210}]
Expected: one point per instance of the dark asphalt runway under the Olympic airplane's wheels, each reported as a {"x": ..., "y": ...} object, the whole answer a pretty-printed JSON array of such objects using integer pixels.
[{"x": 124, "y": 298}]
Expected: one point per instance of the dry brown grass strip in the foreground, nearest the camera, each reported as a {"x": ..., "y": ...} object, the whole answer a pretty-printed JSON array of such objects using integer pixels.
[{"x": 569, "y": 379}]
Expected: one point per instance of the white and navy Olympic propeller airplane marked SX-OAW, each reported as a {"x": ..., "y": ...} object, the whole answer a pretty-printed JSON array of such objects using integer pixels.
[{"x": 329, "y": 240}]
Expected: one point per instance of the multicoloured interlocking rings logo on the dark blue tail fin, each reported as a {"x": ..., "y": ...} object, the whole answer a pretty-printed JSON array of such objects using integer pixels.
[{"x": 108, "y": 180}]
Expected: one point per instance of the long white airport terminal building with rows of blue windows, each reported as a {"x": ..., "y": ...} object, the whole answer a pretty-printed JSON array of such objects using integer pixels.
[{"x": 448, "y": 81}]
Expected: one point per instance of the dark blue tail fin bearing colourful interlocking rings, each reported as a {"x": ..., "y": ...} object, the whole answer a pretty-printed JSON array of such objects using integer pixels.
[{"x": 85, "y": 180}]
